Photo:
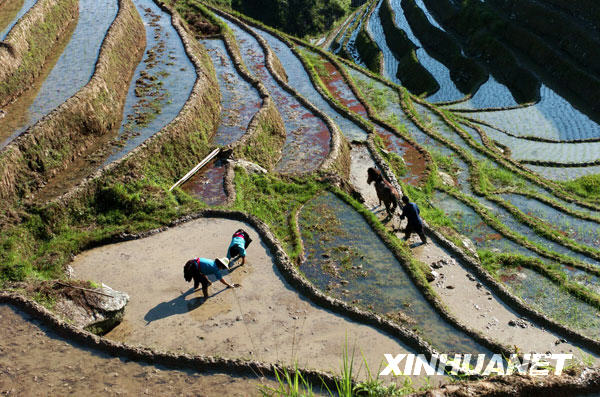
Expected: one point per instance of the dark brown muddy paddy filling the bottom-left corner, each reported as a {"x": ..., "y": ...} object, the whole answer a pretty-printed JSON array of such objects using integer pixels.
[{"x": 35, "y": 361}]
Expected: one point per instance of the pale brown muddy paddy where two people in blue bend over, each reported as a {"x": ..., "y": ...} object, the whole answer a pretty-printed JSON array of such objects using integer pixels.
[{"x": 265, "y": 319}]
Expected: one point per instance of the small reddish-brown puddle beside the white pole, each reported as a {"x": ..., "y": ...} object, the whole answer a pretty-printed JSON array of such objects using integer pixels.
[{"x": 208, "y": 184}]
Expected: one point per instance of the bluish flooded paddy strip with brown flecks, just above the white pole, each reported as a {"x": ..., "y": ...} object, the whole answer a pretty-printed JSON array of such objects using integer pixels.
[{"x": 239, "y": 99}]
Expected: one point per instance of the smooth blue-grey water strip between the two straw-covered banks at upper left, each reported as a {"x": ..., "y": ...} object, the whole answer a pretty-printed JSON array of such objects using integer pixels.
[{"x": 75, "y": 66}]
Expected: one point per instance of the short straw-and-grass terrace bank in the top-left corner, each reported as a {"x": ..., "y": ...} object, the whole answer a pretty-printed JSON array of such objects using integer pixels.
[{"x": 31, "y": 42}]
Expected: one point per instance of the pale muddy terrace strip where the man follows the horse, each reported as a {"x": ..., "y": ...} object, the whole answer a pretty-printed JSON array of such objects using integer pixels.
[{"x": 467, "y": 299}]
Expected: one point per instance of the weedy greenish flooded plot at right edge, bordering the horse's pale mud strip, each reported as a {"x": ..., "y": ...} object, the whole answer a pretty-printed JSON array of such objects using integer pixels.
[{"x": 547, "y": 297}]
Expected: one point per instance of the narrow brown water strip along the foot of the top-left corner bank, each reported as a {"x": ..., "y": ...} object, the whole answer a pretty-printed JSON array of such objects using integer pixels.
[{"x": 17, "y": 113}]
